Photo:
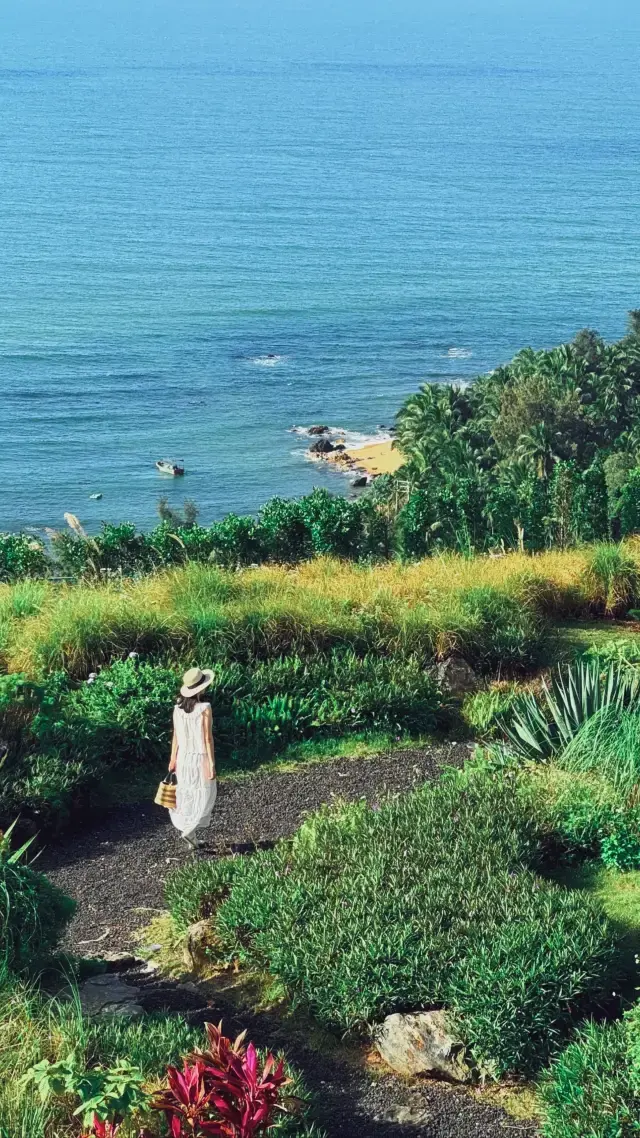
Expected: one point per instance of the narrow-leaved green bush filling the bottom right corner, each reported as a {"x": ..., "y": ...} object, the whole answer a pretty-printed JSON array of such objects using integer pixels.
[{"x": 589, "y": 1092}]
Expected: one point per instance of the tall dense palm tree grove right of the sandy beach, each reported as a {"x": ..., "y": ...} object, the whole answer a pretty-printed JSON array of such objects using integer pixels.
[{"x": 538, "y": 453}]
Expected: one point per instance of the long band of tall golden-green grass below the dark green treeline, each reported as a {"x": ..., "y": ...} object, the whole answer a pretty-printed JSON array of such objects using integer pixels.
[{"x": 272, "y": 609}]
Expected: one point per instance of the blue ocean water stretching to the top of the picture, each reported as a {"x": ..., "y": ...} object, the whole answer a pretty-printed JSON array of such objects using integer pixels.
[{"x": 220, "y": 221}]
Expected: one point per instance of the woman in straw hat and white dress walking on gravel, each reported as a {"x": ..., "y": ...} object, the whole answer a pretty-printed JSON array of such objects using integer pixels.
[{"x": 193, "y": 758}]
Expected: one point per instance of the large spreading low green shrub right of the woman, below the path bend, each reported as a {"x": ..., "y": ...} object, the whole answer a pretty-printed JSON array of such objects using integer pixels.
[{"x": 424, "y": 902}]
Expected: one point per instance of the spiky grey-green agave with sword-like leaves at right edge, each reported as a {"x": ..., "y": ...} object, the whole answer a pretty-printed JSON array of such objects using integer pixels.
[{"x": 540, "y": 727}]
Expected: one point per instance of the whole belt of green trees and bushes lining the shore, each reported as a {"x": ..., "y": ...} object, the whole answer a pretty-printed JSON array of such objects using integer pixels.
[{"x": 541, "y": 453}]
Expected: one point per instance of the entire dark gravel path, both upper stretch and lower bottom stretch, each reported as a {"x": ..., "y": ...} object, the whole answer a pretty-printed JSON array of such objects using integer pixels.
[{"x": 117, "y": 871}]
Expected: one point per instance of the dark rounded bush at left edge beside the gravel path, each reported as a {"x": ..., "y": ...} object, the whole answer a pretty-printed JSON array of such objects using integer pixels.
[{"x": 34, "y": 913}]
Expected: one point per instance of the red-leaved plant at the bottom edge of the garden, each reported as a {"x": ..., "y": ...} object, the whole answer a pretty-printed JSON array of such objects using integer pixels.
[{"x": 223, "y": 1093}]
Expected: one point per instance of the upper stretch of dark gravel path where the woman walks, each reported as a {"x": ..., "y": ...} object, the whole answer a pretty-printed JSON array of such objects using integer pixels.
[{"x": 119, "y": 867}]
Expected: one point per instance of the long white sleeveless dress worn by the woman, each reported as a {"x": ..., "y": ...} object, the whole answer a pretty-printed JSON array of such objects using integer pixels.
[{"x": 195, "y": 793}]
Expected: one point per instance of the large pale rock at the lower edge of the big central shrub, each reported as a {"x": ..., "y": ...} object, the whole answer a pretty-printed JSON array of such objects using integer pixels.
[{"x": 423, "y": 1043}]
